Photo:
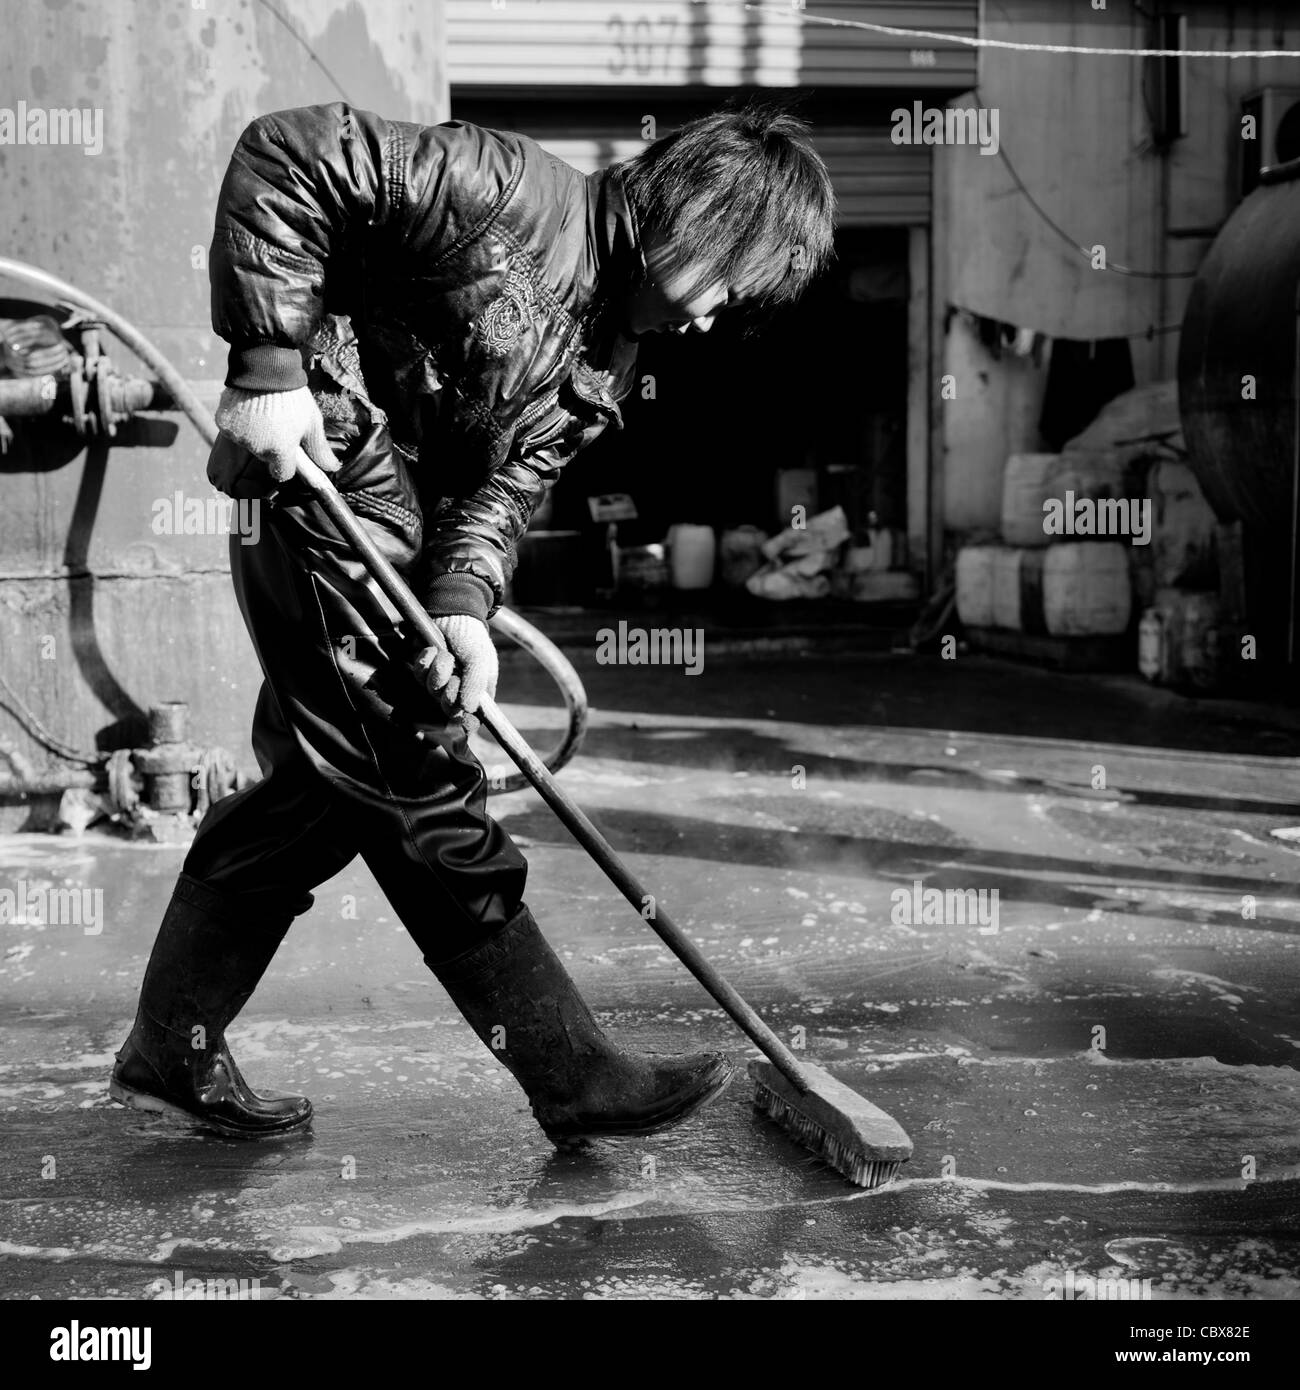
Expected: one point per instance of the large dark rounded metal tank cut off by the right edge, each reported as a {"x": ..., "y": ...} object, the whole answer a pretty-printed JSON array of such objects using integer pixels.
[{"x": 1238, "y": 395}]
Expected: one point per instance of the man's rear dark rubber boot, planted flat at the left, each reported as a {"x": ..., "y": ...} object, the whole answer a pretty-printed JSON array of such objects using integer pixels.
[{"x": 206, "y": 963}]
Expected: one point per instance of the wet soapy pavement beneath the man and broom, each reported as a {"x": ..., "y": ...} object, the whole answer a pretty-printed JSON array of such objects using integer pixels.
[{"x": 1103, "y": 1082}]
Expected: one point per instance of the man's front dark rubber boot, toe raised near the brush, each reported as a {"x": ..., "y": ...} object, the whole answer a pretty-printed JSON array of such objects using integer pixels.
[{"x": 518, "y": 997}]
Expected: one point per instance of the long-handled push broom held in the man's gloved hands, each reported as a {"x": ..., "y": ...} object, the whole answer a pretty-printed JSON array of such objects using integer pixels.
[{"x": 842, "y": 1128}]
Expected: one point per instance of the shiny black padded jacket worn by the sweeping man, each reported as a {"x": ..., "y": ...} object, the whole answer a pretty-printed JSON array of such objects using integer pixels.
[{"x": 485, "y": 281}]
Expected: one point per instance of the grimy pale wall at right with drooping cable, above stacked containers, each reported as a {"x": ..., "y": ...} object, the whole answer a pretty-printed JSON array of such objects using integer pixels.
[{"x": 1075, "y": 130}]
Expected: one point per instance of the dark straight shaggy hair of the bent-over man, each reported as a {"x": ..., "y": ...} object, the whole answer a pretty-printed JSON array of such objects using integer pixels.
[{"x": 745, "y": 197}]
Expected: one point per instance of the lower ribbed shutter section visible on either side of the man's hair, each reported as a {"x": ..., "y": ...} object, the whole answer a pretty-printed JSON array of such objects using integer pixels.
[{"x": 878, "y": 184}]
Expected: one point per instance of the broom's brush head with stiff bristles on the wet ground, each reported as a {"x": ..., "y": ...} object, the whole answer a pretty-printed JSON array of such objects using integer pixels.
[{"x": 843, "y": 1129}]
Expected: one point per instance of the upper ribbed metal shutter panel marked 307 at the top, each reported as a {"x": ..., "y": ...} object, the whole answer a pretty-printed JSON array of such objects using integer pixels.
[{"x": 675, "y": 44}]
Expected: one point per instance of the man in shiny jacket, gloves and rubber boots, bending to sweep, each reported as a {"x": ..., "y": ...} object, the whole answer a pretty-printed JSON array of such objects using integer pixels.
[{"x": 443, "y": 318}]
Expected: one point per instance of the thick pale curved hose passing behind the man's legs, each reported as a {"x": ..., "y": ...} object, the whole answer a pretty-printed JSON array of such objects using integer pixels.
[{"x": 501, "y": 778}]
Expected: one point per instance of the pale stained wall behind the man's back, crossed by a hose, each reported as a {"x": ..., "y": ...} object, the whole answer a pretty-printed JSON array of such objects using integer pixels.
[{"x": 101, "y": 616}]
